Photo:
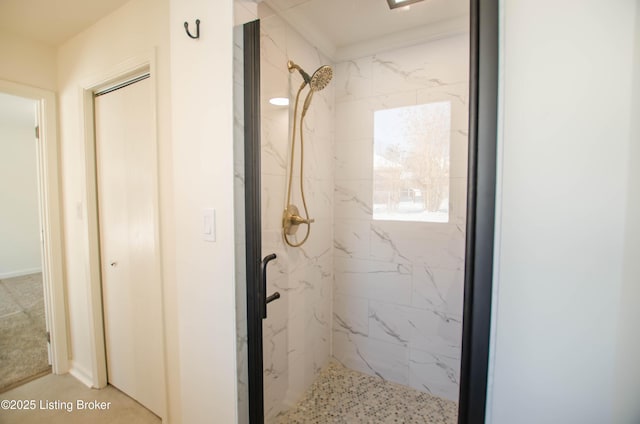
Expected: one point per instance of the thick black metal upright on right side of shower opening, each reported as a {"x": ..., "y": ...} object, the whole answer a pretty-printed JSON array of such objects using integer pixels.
[{"x": 481, "y": 185}]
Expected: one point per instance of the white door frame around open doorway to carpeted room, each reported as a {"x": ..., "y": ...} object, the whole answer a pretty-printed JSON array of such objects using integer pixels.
[{"x": 50, "y": 219}]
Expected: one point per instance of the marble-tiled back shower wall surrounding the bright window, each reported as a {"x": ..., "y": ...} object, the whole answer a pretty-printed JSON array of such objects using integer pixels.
[{"x": 398, "y": 287}]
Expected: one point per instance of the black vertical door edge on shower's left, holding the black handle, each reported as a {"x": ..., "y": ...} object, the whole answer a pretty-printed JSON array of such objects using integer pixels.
[{"x": 253, "y": 226}]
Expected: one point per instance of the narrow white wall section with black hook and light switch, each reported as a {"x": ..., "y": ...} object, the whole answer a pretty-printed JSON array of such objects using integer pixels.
[{"x": 202, "y": 119}]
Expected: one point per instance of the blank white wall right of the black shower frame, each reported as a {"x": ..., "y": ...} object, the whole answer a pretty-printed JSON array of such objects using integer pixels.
[{"x": 565, "y": 183}]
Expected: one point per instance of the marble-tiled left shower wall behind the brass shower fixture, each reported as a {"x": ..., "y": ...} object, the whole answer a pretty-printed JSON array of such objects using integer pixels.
[{"x": 297, "y": 332}]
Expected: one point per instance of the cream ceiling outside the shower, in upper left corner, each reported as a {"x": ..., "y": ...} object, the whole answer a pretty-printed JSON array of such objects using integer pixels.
[{"x": 52, "y": 21}]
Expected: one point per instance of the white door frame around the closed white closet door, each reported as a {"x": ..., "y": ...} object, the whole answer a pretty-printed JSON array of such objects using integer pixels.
[{"x": 119, "y": 73}]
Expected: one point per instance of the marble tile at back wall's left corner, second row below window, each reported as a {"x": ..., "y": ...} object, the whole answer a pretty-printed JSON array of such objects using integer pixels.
[{"x": 384, "y": 281}]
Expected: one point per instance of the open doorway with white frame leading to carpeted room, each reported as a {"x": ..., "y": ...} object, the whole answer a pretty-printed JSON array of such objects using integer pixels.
[{"x": 32, "y": 308}]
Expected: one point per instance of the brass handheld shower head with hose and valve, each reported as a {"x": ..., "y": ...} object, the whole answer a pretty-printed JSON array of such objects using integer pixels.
[{"x": 291, "y": 218}]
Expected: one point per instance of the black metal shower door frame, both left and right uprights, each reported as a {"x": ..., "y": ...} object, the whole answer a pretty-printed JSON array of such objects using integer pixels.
[{"x": 481, "y": 189}]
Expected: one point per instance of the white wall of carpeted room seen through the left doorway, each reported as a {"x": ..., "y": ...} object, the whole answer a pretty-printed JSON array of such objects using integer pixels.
[{"x": 19, "y": 222}]
